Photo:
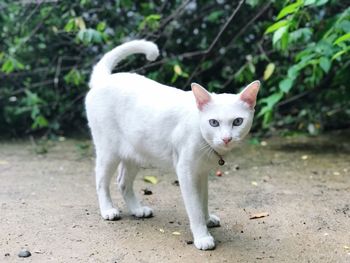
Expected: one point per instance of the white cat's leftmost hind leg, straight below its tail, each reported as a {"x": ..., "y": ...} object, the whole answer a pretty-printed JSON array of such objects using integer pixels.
[{"x": 106, "y": 165}]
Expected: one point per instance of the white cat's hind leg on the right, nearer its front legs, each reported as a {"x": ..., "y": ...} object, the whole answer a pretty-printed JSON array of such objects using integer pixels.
[{"x": 126, "y": 176}]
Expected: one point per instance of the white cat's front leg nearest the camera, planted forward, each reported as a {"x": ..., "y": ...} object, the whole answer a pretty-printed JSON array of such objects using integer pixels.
[{"x": 192, "y": 192}]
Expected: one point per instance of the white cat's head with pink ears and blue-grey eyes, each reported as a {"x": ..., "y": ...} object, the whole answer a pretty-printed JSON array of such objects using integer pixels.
[{"x": 225, "y": 119}]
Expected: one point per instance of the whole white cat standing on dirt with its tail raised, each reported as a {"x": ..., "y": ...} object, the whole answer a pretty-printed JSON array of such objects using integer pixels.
[{"x": 136, "y": 121}]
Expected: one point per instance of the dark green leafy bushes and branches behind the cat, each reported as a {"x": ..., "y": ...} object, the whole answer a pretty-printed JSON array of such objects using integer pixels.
[{"x": 298, "y": 49}]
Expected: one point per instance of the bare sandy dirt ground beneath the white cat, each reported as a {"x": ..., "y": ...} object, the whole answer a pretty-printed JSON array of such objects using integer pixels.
[{"x": 48, "y": 205}]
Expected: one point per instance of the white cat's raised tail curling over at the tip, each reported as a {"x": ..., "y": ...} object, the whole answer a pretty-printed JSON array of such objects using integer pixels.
[{"x": 105, "y": 66}]
